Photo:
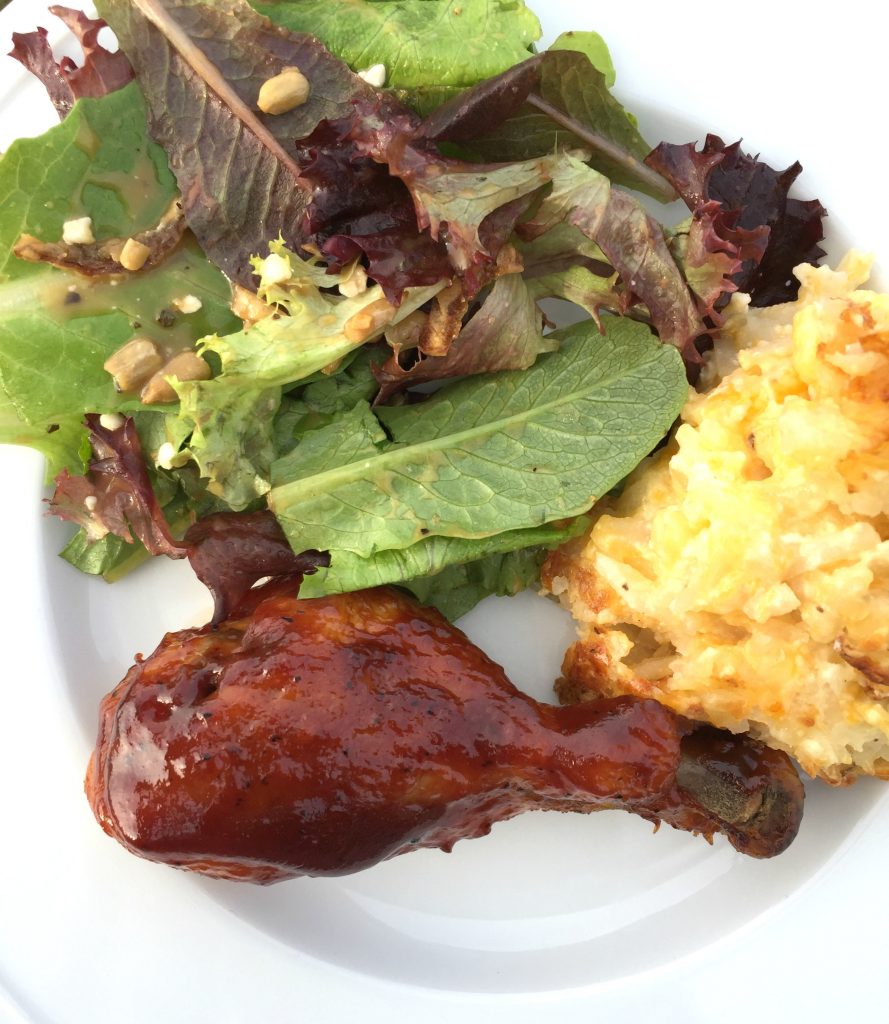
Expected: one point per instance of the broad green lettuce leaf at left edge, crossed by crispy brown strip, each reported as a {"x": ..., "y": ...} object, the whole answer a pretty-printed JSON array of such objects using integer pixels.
[{"x": 57, "y": 329}]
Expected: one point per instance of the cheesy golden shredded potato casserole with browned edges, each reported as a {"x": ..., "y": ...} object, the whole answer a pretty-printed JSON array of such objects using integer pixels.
[{"x": 742, "y": 577}]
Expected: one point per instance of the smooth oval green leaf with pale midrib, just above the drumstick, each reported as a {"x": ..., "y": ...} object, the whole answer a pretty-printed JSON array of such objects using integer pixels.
[{"x": 504, "y": 452}]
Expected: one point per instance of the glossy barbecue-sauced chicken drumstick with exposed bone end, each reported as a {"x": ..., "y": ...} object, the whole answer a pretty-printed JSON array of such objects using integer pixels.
[{"x": 322, "y": 737}]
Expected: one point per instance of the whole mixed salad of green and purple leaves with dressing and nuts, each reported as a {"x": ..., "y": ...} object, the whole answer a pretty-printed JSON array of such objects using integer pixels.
[{"x": 312, "y": 338}]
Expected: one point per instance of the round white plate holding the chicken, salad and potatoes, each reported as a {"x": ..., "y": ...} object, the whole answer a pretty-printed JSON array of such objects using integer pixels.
[{"x": 557, "y": 916}]
